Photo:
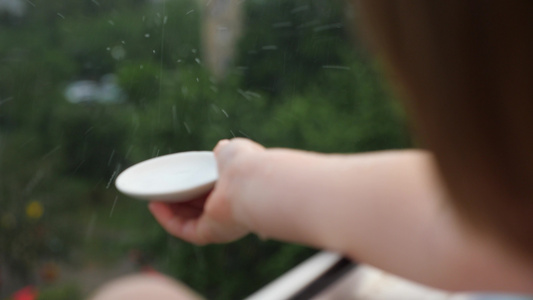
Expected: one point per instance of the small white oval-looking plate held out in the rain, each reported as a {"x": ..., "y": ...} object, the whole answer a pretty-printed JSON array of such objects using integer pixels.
[{"x": 171, "y": 178}]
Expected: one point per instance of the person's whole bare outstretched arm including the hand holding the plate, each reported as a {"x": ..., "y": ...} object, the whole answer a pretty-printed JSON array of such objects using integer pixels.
[{"x": 388, "y": 209}]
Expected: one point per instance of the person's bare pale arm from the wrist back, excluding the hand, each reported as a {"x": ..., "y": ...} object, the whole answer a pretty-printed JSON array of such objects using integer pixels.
[{"x": 387, "y": 209}]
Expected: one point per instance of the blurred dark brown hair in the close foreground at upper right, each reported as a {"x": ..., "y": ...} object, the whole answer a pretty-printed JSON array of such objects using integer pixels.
[{"x": 467, "y": 70}]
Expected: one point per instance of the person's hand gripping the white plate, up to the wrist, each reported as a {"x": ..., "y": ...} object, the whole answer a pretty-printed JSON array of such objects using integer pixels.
[{"x": 211, "y": 218}]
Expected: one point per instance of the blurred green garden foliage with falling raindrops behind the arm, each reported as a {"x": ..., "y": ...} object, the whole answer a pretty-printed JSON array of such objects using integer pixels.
[{"x": 90, "y": 87}]
